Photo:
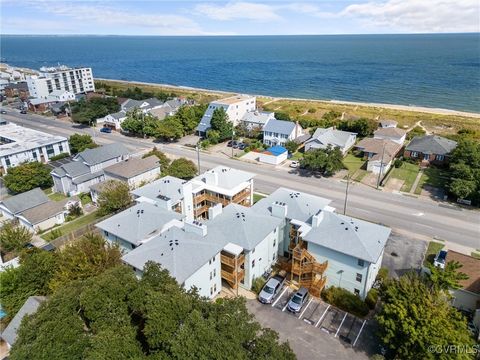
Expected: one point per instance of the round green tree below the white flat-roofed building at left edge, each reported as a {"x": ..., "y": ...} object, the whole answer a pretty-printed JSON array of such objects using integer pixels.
[{"x": 28, "y": 176}]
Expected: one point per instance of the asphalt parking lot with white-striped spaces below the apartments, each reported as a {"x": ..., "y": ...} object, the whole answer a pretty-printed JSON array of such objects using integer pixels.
[{"x": 342, "y": 333}]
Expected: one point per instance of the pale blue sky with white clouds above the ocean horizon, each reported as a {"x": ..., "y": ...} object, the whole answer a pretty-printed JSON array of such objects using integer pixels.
[{"x": 199, "y": 17}]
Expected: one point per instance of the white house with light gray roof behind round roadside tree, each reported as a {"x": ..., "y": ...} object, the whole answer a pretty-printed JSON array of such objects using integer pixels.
[{"x": 323, "y": 138}]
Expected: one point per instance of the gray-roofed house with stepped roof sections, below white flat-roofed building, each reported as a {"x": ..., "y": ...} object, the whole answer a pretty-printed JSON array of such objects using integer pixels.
[{"x": 87, "y": 168}]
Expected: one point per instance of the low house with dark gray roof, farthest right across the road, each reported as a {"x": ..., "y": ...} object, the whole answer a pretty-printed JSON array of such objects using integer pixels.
[{"x": 431, "y": 149}]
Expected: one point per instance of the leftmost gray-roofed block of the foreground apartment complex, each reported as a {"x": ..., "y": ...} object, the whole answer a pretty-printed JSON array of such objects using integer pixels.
[{"x": 138, "y": 225}]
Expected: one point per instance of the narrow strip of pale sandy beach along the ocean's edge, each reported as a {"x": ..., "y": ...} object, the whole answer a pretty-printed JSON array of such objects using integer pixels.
[{"x": 420, "y": 109}]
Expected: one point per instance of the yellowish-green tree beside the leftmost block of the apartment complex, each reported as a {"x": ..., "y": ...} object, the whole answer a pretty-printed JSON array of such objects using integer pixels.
[{"x": 84, "y": 258}]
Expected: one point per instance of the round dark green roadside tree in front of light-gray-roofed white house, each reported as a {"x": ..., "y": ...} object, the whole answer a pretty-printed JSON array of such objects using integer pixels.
[{"x": 328, "y": 161}]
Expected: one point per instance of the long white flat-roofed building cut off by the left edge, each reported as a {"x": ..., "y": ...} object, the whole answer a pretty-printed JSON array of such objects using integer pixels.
[{"x": 19, "y": 144}]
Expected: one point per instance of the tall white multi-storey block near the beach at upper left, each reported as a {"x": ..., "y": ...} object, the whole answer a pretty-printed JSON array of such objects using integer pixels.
[{"x": 74, "y": 80}]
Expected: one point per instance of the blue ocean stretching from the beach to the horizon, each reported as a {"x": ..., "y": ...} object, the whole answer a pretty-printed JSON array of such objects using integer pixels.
[{"x": 438, "y": 70}]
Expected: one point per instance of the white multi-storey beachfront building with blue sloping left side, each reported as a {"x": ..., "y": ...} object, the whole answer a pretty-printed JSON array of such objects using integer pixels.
[{"x": 235, "y": 106}]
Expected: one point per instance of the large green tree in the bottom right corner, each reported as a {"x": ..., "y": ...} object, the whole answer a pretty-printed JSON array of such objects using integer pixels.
[{"x": 414, "y": 316}]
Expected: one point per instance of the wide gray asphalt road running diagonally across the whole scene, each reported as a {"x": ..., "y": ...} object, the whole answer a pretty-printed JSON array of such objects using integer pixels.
[{"x": 416, "y": 216}]
